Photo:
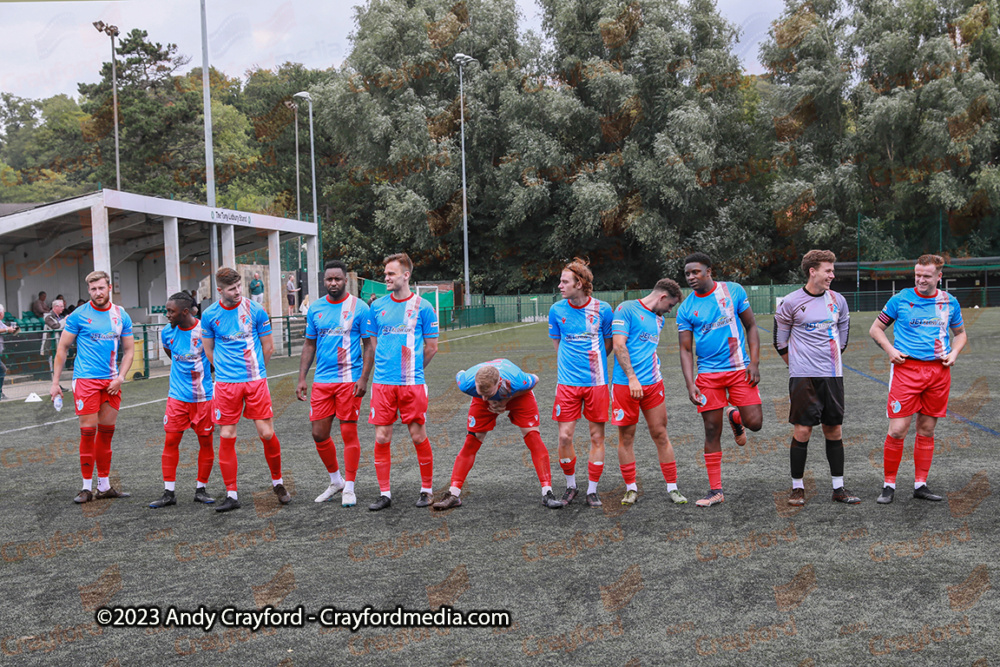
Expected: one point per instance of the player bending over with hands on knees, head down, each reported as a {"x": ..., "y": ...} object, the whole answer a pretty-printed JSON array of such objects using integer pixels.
[{"x": 496, "y": 387}]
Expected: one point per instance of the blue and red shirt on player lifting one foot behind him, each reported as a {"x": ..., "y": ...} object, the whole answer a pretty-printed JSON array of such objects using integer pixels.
[{"x": 713, "y": 318}]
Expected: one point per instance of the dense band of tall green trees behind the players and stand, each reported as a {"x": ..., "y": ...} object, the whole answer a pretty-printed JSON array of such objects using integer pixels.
[{"x": 628, "y": 133}]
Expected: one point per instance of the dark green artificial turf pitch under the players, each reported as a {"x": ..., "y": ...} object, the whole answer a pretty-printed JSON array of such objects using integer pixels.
[{"x": 751, "y": 581}]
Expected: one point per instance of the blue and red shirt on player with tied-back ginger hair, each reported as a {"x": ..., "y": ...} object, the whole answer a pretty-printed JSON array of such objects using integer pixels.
[{"x": 581, "y": 331}]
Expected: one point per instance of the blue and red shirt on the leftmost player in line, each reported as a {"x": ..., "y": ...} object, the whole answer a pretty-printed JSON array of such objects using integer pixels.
[{"x": 97, "y": 334}]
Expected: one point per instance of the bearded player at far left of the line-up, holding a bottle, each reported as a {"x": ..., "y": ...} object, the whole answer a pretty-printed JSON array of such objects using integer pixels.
[{"x": 97, "y": 328}]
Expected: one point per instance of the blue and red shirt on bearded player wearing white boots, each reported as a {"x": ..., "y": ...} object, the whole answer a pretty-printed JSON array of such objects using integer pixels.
[{"x": 338, "y": 327}]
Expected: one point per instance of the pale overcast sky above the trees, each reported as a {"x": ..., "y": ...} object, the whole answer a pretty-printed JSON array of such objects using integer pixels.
[{"x": 47, "y": 47}]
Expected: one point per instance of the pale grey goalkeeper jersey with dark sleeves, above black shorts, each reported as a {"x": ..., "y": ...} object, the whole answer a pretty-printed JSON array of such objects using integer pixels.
[{"x": 813, "y": 330}]
